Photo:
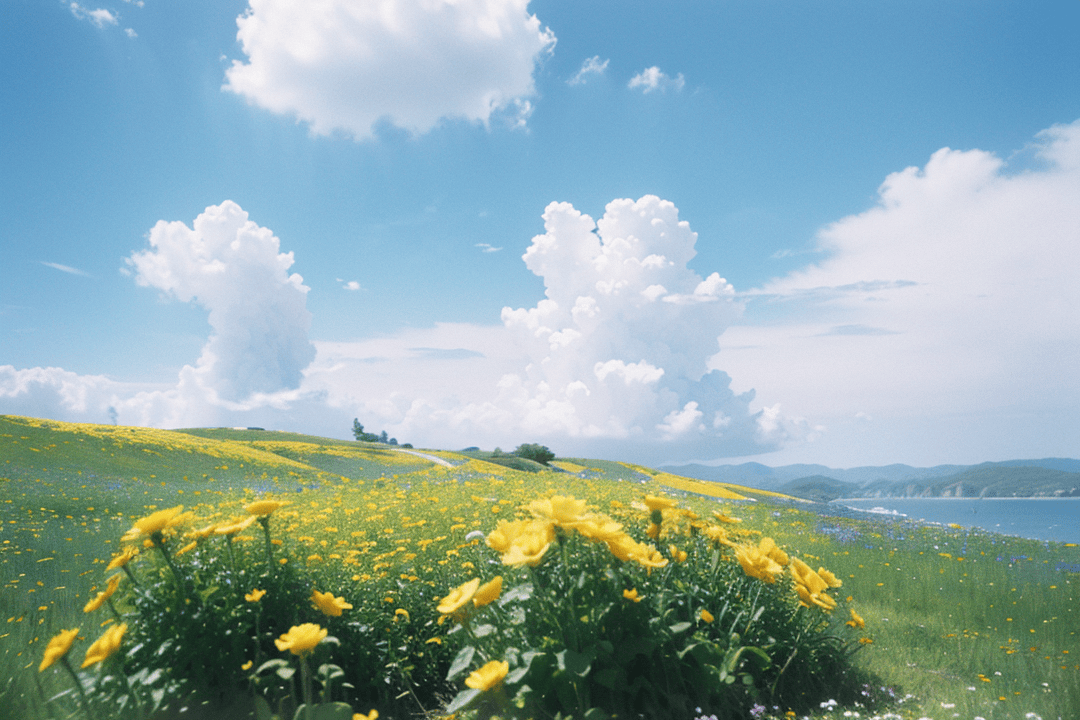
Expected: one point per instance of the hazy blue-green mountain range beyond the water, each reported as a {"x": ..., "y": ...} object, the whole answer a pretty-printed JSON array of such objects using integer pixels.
[{"x": 1051, "y": 478}]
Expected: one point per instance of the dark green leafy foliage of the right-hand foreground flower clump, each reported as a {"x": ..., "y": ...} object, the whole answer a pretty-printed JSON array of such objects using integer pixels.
[{"x": 589, "y": 636}]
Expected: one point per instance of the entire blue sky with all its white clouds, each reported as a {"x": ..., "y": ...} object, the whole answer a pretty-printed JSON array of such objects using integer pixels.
[{"x": 835, "y": 233}]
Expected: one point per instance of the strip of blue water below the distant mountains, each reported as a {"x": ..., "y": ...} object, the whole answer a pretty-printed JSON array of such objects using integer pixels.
[{"x": 1051, "y": 519}]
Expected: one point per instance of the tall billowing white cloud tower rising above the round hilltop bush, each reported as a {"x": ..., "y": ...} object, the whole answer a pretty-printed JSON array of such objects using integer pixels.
[{"x": 620, "y": 345}]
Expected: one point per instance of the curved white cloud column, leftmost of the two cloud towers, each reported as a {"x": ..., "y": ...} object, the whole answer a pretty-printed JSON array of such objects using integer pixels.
[{"x": 259, "y": 314}]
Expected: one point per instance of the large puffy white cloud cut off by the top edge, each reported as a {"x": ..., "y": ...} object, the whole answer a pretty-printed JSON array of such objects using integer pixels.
[{"x": 345, "y": 66}]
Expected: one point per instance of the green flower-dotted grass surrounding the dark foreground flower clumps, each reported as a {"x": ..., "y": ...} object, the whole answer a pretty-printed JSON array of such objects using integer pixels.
[{"x": 956, "y": 635}]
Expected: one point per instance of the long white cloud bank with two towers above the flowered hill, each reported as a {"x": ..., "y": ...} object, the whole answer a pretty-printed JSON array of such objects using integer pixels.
[{"x": 612, "y": 362}]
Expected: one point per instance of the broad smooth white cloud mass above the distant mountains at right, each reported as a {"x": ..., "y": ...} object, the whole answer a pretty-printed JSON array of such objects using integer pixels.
[{"x": 953, "y": 301}]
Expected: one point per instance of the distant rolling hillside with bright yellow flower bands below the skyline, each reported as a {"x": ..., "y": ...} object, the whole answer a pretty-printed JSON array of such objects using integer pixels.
[{"x": 141, "y": 460}]
